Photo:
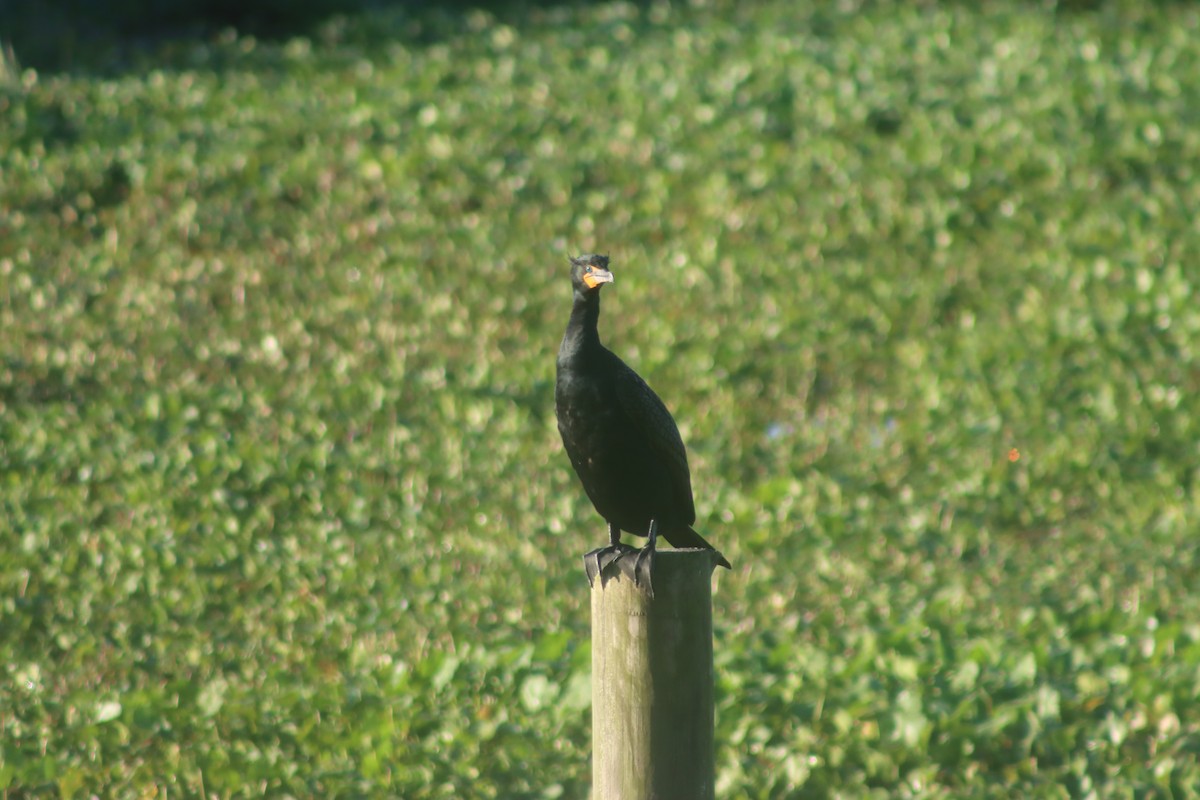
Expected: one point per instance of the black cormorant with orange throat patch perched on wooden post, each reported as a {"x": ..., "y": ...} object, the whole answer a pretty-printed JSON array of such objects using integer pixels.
[{"x": 621, "y": 438}]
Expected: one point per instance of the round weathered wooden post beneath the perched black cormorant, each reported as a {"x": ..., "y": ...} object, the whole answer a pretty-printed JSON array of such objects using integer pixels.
[{"x": 652, "y": 683}]
